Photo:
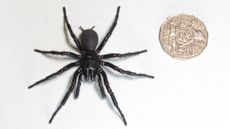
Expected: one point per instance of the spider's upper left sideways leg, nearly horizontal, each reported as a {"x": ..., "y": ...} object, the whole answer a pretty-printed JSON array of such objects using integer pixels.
[{"x": 61, "y": 53}]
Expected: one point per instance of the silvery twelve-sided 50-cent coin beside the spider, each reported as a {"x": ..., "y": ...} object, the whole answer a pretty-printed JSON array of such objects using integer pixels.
[{"x": 183, "y": 36}]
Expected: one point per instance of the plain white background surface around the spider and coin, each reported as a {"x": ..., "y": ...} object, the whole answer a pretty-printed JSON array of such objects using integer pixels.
[{"x": 192, "y": 94}]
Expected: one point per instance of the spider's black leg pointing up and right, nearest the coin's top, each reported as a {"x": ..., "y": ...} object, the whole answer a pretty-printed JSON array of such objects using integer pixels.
[{"x": 106, "y": 38}]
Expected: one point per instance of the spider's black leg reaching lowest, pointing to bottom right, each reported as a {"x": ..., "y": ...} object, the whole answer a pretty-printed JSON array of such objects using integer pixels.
[{"x": 109, "y": 90}]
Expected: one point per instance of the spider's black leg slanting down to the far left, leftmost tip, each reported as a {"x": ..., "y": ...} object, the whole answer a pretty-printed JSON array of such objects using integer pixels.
[{"x": 55, "y": 74}]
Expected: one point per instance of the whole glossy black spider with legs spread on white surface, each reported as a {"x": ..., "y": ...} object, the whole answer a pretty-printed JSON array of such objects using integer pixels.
[{"x": 89, "y": 63}]
